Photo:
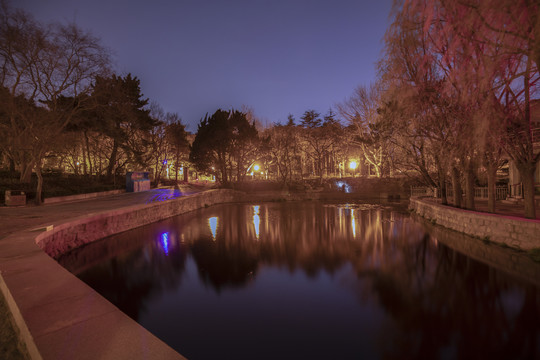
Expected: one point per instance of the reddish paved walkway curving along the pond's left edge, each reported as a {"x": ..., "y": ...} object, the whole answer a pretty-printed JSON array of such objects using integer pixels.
[{"x": 59, "y": 316}]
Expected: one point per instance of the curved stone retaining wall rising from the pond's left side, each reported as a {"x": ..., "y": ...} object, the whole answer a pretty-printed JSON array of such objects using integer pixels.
[{"x": 75, "y": 233}]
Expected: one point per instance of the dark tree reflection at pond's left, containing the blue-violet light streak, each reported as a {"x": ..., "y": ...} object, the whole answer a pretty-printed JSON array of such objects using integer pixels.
[{"x": 132, "y": 277}]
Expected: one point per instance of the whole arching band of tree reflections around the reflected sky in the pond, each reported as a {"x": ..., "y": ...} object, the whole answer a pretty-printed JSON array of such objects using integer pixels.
[{"x": 439, "y": 303}]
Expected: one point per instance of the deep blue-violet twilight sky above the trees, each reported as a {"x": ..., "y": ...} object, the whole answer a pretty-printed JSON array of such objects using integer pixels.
[{"x": 278, "y": 57}]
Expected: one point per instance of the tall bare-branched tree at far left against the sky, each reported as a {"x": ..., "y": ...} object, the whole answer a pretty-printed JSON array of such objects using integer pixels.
[{"x": 52, "y": 68}]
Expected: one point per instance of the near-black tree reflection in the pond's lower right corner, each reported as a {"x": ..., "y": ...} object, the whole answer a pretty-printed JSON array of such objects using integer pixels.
[{"x": 462, "y": 309}]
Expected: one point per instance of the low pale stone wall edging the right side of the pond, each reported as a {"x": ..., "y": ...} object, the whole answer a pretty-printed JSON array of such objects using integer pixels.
[{"x": 516, "y": 232}]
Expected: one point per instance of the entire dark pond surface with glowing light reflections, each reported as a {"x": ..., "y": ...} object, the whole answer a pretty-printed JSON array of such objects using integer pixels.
[{"x": 311, "y": 281}]
